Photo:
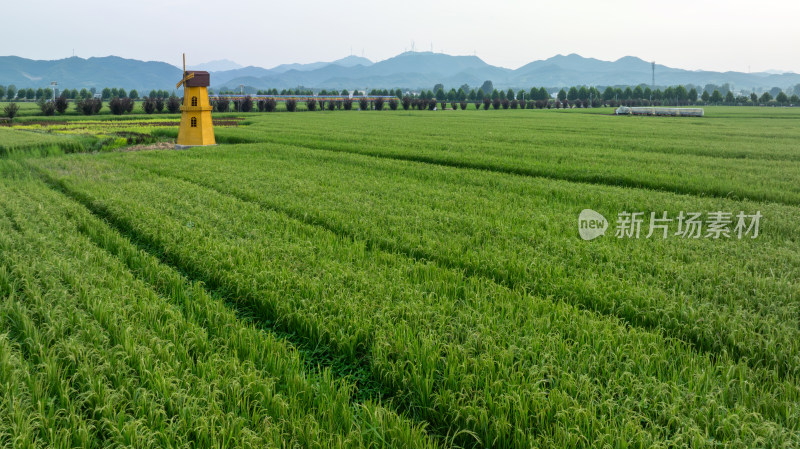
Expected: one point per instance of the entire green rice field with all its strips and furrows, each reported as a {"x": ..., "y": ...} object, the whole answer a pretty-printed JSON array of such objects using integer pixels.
[{"x": 400, "y": 279}]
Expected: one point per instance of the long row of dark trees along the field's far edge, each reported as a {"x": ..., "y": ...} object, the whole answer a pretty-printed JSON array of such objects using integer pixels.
[{"x": 88, "y": 102}]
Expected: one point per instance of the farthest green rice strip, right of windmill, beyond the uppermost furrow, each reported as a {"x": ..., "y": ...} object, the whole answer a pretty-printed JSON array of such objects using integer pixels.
[{"x": 636, "y": 153}]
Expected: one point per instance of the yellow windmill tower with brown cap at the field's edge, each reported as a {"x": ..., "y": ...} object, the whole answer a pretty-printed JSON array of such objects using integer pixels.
[{"x": 196, "y": 126}]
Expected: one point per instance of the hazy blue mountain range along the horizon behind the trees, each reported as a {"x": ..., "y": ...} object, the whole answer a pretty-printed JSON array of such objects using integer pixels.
[{"x": 410, "y": 70}]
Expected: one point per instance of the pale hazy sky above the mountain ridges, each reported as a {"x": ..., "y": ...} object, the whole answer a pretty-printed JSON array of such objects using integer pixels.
[{"x": 698, "y": 34}]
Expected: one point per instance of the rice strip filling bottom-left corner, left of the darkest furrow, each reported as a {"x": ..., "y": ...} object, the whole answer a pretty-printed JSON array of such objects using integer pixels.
[{"x": 100, "y": 344}]
